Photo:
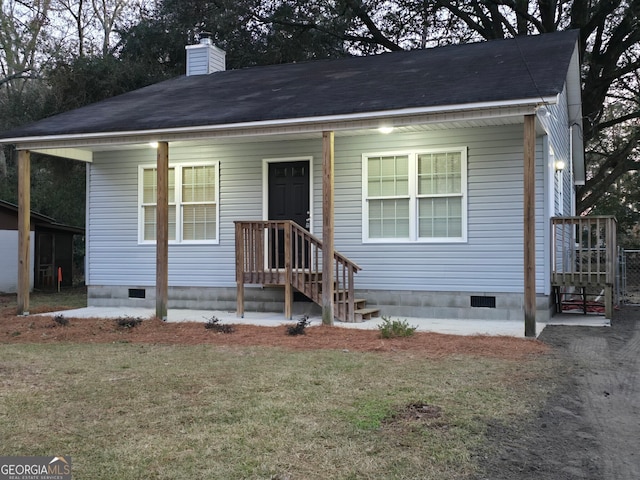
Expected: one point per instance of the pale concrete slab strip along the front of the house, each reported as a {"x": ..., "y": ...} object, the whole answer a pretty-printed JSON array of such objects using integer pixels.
[{"x": 510, "y": 328}]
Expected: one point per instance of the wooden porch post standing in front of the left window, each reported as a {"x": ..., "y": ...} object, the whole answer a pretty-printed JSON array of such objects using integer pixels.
[{"x": 162, "y": 231}]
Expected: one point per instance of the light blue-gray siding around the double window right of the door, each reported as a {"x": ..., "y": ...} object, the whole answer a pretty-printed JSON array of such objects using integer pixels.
[{"x": 491, "y": 260}]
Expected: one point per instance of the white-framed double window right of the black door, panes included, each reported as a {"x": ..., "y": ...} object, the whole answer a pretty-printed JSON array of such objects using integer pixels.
[{"x": 418, "y": 196}]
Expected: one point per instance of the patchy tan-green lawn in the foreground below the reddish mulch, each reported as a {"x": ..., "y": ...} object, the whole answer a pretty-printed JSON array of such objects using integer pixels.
[{"x": 126, "y": 411}]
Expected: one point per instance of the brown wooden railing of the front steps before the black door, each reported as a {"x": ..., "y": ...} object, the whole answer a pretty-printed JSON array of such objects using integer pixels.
[{"x": 277, "y": 252}]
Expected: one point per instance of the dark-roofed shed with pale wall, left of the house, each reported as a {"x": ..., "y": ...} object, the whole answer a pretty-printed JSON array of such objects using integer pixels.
[{"x": 51, "y": 248}]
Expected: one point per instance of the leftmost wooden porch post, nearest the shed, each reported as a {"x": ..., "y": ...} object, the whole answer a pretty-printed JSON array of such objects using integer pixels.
[{"x": 24, "y": 230}]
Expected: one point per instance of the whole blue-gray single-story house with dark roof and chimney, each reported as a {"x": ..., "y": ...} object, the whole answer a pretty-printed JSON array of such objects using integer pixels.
[{"x": 432, "y": 175}]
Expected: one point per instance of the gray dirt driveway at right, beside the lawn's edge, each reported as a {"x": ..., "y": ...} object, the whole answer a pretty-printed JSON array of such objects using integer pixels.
[{"x": 590, "y": 427}]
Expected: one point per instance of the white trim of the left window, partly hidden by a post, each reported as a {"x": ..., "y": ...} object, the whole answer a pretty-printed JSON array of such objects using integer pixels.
[{"x": 178, "y": 203}]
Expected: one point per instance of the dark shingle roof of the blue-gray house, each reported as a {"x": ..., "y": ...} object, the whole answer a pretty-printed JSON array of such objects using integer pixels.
[{"x": 496, "y": 71}]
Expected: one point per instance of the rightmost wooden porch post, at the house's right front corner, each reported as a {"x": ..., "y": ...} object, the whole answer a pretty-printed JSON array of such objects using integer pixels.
[{"x": 529, "y": 226}]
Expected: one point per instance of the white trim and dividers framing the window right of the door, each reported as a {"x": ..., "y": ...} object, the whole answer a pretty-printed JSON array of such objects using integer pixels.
[{"x": 414, "y": 197}]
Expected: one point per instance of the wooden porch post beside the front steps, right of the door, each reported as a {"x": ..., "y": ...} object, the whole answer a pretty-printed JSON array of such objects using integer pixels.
[{"x": 327, "y": 228}]
